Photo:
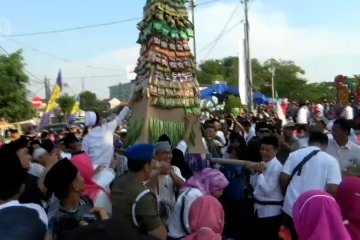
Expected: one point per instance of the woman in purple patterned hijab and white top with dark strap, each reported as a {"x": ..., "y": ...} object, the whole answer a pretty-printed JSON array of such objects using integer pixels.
[{"x": 206, "y": 182}]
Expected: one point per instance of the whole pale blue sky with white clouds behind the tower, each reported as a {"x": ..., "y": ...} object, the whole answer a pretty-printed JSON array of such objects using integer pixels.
[{"x": 321, "y": 36}]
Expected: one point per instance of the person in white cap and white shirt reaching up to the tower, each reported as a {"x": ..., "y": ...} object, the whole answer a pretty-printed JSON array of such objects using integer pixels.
[{"x": 99, "y": 142}]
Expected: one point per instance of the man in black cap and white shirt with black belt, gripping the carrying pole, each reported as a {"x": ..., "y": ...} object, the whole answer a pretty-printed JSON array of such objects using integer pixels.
[{"x": 267, "y": 192}]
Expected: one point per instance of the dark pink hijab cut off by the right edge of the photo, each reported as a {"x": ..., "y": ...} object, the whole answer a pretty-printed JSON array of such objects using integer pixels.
[{"x": 349, "y": 201}]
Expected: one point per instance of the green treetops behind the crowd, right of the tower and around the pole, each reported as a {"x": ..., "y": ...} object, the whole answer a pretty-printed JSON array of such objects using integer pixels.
[{"x": 289, "y": 78}]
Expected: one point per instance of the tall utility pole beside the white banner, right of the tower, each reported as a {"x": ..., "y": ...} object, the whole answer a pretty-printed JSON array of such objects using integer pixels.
[{"x": 248, "y": 58}]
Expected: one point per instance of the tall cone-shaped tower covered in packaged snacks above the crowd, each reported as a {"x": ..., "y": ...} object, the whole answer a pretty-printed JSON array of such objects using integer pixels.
[{"x": 165, "y": 88}]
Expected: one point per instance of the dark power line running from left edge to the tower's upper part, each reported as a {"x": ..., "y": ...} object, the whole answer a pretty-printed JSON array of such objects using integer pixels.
[{"x": 71, "y": 28}]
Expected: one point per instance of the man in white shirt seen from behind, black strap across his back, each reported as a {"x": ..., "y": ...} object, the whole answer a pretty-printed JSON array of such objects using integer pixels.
[{"x": 321, "y": 171}]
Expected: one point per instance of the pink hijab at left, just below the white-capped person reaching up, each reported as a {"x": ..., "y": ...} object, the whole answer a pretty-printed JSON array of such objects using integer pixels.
[{"x": 84, "y": 164}]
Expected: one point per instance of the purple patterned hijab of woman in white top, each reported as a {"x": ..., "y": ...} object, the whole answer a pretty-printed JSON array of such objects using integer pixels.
[{"x": 208, "y": 181}]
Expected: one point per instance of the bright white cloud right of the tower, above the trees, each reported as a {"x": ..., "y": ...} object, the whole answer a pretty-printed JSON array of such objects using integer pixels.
[{"x": 321, "y": 52}]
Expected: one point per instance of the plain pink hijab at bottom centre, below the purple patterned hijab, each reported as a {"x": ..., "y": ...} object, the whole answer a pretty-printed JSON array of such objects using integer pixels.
[{"x": 206, "y": 219}]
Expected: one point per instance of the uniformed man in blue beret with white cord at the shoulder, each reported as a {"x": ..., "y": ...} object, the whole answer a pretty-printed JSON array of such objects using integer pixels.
[{"x": 132, "y": 200}]
